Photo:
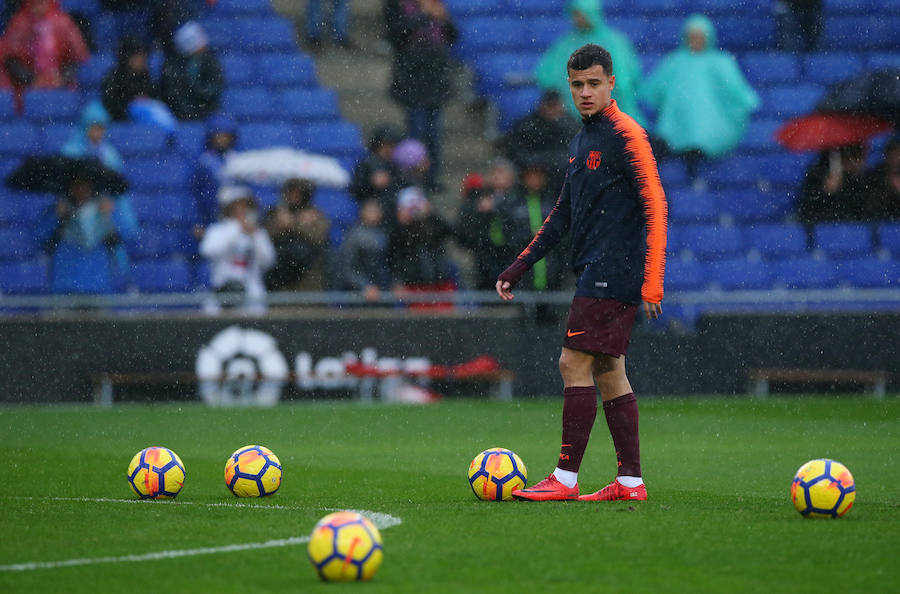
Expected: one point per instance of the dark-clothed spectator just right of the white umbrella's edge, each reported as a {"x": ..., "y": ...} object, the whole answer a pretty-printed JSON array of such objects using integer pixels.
[{"x": 377, "y": 176}]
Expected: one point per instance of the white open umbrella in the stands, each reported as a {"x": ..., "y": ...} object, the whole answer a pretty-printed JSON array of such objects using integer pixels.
[{"x": 279, "y": 164}]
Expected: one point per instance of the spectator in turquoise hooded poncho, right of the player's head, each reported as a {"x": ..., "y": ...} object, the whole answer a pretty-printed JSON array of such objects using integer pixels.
[{"x": 702, "y": 99}]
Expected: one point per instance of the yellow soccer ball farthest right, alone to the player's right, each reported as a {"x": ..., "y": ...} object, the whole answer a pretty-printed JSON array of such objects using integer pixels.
[{"x": 823, "y": 488}]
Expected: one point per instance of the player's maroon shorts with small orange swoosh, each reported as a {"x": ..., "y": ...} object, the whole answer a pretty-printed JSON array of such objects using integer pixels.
[{"x": 599, "y": 325}]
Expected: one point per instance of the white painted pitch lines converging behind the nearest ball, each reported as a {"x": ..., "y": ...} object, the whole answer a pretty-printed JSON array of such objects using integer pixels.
[{"x": 381, "y": 520}]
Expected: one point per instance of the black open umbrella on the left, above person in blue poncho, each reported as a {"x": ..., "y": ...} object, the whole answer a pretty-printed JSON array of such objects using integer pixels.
[{"x": 54, "y": 173}]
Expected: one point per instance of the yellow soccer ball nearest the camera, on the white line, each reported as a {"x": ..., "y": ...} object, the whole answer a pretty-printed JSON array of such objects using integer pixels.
[{"x": 345, "y": 546}]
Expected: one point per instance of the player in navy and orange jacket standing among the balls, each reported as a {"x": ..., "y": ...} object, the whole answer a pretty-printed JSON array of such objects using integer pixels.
[{"x": 613, "y": 206}]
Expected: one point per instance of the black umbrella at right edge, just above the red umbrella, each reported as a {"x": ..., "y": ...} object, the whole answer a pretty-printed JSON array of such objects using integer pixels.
[{"x": 875, "y": 93}]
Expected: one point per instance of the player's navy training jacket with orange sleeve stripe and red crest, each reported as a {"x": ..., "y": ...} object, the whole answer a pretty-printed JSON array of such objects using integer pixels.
[{"x": 613, "y": 206}]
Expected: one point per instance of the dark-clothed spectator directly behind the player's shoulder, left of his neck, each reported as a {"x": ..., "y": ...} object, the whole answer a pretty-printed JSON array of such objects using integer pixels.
[{"x": 543, "y": 135}]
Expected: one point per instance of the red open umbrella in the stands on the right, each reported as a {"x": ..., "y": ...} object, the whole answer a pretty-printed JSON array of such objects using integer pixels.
[{"x": 823, "y": 131}]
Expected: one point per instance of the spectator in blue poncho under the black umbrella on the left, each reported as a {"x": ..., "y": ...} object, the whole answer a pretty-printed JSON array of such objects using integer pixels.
[{"x": 83, "y": 234}]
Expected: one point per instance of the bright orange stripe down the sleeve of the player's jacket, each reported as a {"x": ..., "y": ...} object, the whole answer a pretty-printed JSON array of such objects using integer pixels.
[{"x": 646, "y": 176}]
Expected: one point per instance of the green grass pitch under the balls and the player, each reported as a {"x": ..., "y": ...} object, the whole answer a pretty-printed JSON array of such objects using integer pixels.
[{"x": 719, "y": 517}]
